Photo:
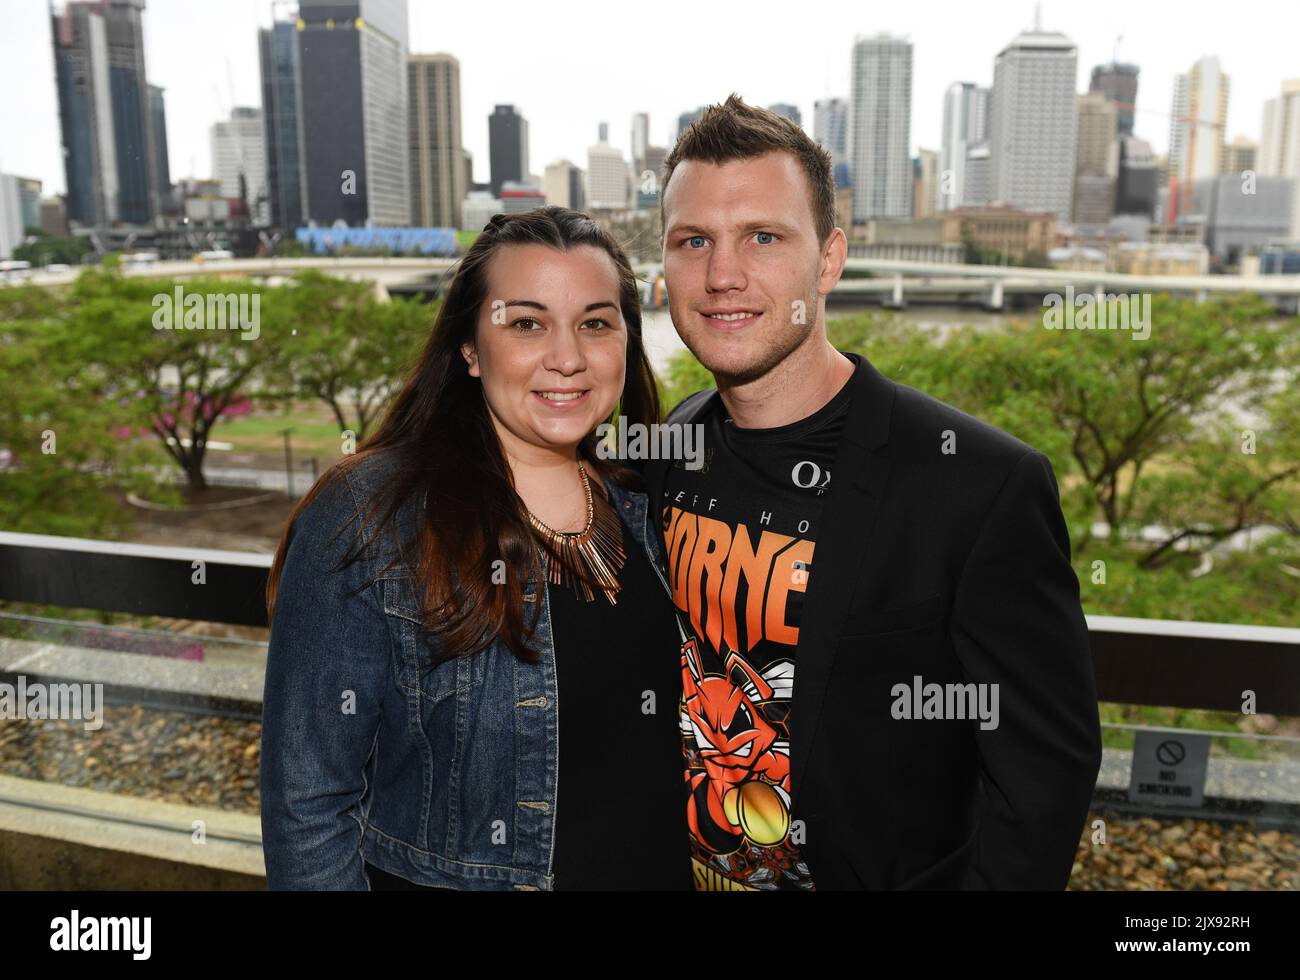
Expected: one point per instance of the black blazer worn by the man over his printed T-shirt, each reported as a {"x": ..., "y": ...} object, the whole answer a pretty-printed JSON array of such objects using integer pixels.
[{"x": 956, "y": 567}]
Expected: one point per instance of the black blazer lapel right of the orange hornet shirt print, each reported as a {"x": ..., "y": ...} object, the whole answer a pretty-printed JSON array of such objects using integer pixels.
[{"x": 859, "y": 480}]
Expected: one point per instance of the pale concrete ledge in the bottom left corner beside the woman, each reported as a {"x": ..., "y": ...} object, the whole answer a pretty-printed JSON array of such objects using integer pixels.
[{"x": 62, "y": 838}]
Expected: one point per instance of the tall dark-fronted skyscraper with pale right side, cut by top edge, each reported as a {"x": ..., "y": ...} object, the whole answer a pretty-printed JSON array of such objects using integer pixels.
[{"x": 353, "y": 64}]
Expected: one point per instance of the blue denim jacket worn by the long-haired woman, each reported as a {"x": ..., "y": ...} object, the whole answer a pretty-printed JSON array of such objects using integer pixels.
[{"x": 445, "y": 777}]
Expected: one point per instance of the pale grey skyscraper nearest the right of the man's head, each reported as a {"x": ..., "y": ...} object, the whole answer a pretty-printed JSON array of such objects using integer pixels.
[{"x": 881, "y": 128}]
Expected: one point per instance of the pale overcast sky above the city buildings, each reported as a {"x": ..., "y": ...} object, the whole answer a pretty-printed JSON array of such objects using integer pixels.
[{"x": 571, "y": 66}]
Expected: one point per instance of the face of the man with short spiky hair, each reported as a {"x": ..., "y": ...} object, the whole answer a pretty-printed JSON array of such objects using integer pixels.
[{"x": 742, "y": 262}]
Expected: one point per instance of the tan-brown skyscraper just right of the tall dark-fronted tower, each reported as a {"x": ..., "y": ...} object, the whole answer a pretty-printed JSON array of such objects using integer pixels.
[{"x": 437, "y": 158}]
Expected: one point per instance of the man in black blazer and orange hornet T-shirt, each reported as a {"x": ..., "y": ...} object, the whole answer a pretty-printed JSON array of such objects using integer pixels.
[{"x": 912, "y": 706}]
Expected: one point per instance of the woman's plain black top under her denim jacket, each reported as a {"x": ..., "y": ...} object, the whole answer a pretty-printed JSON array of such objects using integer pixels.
[{"x": 621, "y": 804}]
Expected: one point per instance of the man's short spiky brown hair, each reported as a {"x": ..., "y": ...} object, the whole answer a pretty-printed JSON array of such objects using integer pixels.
[{"x": 738, "y": 132}]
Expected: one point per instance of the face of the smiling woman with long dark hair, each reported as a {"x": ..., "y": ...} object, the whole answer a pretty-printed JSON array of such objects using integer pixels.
[{"x": 551, "y": 346}]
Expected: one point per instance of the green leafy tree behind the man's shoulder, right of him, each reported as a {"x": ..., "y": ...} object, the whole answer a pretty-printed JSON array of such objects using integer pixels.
[{"x": 1107, "y": 407}]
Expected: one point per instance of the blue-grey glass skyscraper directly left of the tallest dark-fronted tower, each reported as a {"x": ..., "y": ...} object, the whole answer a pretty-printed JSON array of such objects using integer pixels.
[{"x": 283, "y": 119}]
